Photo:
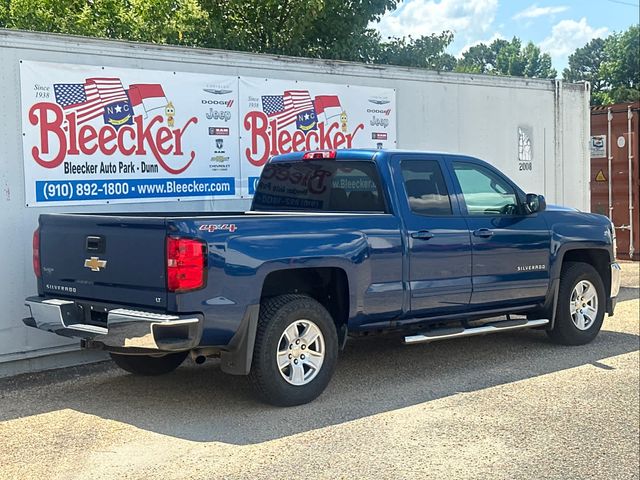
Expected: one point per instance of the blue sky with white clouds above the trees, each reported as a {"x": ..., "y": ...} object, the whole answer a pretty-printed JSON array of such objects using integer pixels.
[{"x": 558, "y": 27}]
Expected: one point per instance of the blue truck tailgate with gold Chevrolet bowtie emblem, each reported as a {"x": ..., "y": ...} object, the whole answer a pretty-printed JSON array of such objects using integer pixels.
[{"x": 104, "y": 258}]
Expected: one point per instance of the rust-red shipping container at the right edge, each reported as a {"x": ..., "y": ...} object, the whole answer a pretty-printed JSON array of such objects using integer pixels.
[{"x": 615, "y": 133}]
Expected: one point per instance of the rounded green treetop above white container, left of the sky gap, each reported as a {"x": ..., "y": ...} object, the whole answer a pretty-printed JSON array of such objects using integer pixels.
[{"x": 503, "y": 57}]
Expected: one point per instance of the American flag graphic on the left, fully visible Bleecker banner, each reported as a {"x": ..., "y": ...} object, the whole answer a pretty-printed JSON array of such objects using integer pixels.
[{"x": 87, "y": 100}]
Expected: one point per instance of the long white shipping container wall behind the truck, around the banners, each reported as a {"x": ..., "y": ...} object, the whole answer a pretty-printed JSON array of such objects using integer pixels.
[{"x": 536, "y": 131}]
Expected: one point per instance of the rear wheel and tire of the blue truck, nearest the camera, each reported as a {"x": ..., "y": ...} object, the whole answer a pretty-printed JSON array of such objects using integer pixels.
[{"x": 285, "y": 325}]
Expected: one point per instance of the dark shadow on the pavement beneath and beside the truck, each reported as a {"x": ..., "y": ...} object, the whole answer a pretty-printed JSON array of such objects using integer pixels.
[{"x": 200, "y": 403}]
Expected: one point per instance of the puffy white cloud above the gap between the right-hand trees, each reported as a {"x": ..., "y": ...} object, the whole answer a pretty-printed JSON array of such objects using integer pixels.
[{"x": 567, "y": 35}]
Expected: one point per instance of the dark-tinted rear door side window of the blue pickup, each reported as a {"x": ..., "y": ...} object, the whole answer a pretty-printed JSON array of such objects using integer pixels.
[{"x": 425, "y": 187}]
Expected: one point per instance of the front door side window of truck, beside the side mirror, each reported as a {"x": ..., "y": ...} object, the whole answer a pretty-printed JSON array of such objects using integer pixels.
[{"x": 484, "y": 192}]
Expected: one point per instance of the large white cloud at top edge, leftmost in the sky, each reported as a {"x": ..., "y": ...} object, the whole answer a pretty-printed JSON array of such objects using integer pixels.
[{"x": 468, "y": 19}]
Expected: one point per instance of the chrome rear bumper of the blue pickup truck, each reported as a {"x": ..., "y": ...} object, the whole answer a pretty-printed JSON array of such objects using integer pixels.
[{"x": 125, "y": 328}]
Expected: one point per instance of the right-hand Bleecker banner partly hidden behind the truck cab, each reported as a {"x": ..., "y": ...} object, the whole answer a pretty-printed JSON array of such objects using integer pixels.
[{"x": 282, "y": 116}]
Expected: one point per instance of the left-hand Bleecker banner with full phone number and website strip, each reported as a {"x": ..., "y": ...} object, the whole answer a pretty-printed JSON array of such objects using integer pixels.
[{"x": 99, "y": 134}]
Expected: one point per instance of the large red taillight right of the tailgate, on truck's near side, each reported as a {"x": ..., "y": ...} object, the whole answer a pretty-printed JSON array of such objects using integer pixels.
[{"x": 186, "y": 261}]
